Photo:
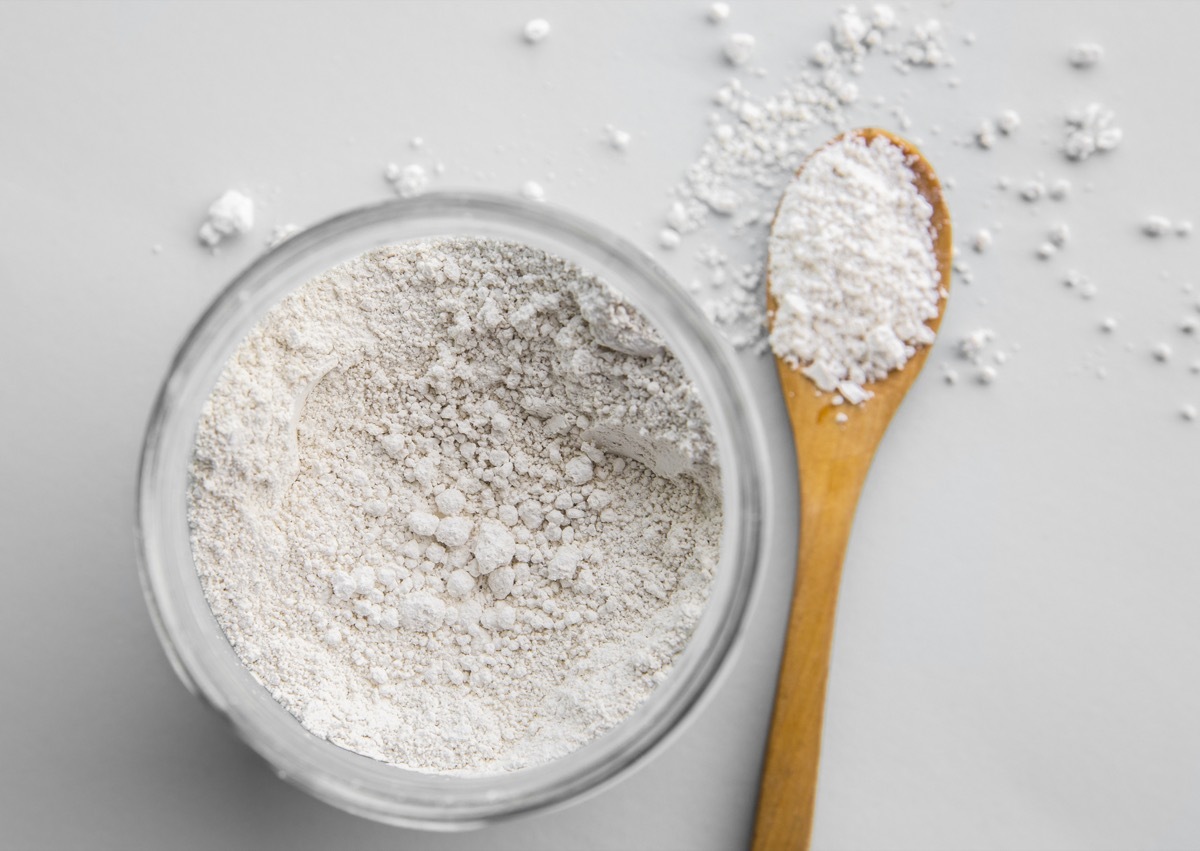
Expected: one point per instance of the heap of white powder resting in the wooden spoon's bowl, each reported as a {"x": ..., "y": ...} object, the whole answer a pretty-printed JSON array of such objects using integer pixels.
[{"x": 851, "y": 267}]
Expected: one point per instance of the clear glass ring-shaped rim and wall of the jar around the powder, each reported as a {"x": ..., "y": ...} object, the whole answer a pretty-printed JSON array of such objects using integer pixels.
[{"x": 196, "y": 644}]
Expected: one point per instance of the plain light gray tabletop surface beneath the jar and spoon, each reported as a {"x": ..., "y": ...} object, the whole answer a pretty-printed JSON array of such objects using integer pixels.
[{"x": 1018, "y": 645}]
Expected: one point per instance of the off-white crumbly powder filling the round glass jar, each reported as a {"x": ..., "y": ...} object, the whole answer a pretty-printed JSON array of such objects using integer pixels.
[{"x": 454, "y": 506}]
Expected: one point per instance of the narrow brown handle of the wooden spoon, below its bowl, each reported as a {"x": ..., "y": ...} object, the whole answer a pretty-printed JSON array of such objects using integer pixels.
[{"x": 831, "y": 483}]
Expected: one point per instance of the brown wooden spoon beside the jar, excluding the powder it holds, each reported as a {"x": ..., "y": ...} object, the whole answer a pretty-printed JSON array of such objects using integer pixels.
[{"x": 833, "y": 460}]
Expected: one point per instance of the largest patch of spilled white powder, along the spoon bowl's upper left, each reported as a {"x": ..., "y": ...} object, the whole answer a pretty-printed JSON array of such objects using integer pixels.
[{"x": 758, "y": 142}]
